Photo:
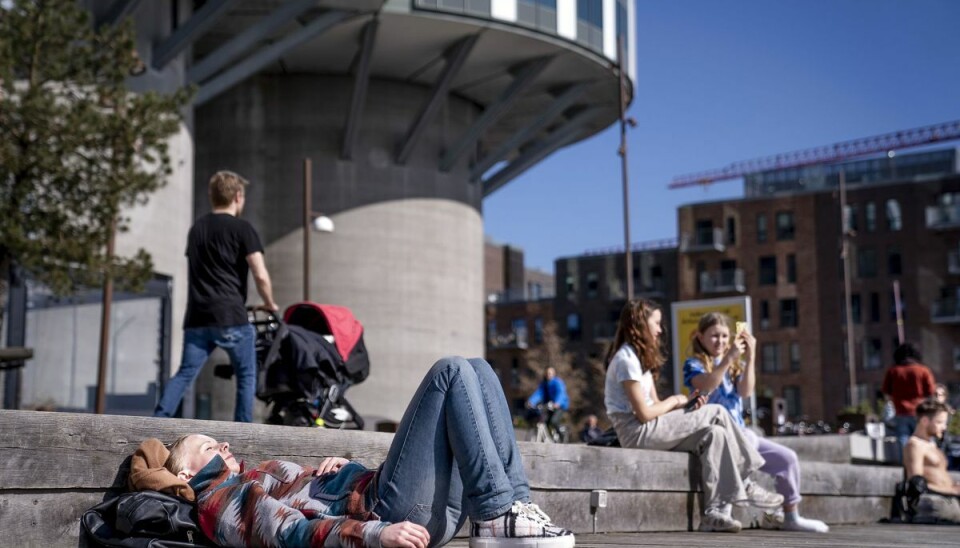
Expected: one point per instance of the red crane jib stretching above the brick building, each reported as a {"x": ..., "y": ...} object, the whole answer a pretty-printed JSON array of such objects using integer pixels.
[{"x": 826, "y": 154}]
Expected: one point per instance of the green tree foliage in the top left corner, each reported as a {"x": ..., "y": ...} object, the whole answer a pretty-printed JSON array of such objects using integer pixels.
[{"x": 76, "y": 146}]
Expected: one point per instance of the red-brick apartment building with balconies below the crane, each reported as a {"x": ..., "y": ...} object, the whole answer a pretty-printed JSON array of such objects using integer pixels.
[{"x": 781, "y": 245}]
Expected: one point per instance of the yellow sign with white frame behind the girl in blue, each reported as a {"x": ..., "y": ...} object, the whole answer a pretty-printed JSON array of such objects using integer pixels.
[{"x": 686, "y": 315}]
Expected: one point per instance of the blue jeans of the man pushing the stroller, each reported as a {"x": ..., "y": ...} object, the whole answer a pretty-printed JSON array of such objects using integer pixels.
[{"x": 198, "y": 342}]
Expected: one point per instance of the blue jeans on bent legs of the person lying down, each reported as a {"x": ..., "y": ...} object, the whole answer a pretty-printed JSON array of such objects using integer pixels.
[{"x": 454, "y": 454}]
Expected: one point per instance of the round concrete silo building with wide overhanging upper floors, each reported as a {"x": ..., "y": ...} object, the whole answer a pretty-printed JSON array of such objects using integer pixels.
[{"x": 412, "y": 111}]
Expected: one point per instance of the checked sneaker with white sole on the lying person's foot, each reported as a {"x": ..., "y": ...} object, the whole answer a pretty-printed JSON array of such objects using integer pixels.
[{"x": 520, "y": 527}]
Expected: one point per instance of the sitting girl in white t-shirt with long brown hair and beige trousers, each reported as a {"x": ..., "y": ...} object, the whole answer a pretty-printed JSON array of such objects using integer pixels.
[{"x": 642, "y": 420}]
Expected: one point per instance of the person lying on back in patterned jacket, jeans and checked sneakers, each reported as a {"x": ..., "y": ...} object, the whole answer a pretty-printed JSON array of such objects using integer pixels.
[{"x": 454, "y": 455}]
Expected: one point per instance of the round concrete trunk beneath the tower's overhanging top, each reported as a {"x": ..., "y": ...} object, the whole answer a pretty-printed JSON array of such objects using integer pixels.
[{"x": 406, "y": 255}]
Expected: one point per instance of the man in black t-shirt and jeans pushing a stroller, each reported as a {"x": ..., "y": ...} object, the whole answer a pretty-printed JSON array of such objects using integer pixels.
[{"x": 221, "y": 250}]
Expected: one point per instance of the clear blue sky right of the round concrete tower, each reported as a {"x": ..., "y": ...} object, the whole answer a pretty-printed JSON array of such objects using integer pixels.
[{"x": 722, "y": 81}]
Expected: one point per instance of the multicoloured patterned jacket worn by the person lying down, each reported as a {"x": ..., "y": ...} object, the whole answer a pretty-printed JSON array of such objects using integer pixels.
[{"x": 283, "y": 504}]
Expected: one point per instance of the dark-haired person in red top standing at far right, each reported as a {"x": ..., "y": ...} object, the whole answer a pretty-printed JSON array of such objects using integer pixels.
[{"x": 907, "y": 383}]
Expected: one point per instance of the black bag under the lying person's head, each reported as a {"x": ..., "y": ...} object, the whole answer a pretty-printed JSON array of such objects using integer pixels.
[{"x": 143, "y": 519}]
